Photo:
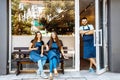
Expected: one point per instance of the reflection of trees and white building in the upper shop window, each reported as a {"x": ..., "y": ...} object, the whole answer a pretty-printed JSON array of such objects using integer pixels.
[{"x": 45, "y": 16}]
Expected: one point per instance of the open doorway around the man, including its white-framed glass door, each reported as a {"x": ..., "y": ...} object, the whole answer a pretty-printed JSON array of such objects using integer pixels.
[{"x": 96, "y": 12}]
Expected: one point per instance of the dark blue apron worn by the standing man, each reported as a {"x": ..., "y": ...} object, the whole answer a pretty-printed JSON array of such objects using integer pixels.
[{"x": 89, "y": 49}]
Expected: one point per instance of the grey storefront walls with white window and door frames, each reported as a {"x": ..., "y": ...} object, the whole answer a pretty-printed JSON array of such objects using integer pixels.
[{"x": 106, "y": 41}]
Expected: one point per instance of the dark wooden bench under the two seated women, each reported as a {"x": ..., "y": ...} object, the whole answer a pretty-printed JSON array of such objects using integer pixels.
[{"x": 21, "y": 55}]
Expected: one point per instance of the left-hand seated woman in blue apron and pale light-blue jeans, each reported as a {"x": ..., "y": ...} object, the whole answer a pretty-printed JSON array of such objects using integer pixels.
[{"x": 36, "y": 53}]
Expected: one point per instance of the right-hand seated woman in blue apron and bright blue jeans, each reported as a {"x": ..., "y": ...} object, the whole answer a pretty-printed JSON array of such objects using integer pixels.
[{"x": 54, "y": 47}]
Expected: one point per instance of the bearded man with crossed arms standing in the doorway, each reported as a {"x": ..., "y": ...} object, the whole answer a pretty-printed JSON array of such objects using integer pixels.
[{"x": 87, "y": 32}]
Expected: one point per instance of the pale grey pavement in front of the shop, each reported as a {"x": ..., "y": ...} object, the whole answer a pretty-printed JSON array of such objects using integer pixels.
[{"x": 81, "y": 75}]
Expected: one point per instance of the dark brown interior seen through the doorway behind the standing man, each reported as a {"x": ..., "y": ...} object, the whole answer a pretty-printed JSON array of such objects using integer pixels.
[{"x": 87, "y": 9}]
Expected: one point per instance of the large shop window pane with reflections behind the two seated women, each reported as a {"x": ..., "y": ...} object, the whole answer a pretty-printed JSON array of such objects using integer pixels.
[{"x": 29, "y": 16}]
